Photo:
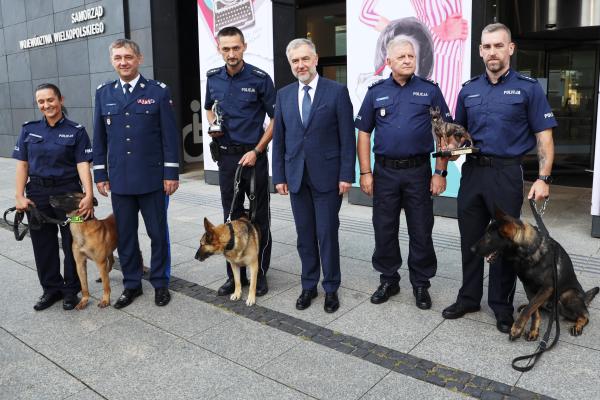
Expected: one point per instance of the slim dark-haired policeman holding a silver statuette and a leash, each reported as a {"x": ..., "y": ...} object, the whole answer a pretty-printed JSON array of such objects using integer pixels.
[{"x": 244, "y": 94}]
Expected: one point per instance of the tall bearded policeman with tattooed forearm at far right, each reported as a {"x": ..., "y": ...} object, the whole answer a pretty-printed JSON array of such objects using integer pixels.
[{"x": 506, "y": 113}]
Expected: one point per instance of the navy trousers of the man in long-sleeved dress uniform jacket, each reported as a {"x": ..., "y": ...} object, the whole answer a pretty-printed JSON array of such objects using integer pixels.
[{"x": 153, "y": 207}]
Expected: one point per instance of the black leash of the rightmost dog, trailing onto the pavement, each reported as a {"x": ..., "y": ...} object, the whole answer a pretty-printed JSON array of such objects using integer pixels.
[{"x": 543, "y": 346}]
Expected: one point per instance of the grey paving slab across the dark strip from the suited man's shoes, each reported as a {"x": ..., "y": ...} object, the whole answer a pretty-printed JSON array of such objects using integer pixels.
[{"x": 324, "y": 373}]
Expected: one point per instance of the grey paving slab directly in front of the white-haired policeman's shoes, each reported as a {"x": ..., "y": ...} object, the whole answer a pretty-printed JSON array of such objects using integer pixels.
[{"x": 392, "y": 324}]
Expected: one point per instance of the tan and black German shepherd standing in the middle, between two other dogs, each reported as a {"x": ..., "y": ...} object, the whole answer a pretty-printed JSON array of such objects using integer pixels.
[{"x": 238, "y": 242}]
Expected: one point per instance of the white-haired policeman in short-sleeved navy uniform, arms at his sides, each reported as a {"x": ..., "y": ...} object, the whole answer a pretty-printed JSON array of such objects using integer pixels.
[{"x": 398, "y": 109}]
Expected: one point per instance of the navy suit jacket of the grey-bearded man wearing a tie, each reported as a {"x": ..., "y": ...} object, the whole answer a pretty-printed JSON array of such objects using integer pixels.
[{"x": 326, "y": 145}]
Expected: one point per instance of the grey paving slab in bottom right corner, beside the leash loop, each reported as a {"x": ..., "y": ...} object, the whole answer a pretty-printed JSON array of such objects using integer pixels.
[{"x": 575, "y": 370}]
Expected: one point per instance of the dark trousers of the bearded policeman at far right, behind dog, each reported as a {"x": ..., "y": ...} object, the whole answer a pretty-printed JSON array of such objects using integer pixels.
[{"x": 481, "y": 189}]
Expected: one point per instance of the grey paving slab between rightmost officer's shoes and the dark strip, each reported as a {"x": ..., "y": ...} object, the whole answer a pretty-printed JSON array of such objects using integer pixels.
[{"x": 473, "y": 347}]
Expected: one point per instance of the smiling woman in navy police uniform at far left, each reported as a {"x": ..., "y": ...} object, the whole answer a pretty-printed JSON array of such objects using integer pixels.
[{"x": 54, "y": 157}]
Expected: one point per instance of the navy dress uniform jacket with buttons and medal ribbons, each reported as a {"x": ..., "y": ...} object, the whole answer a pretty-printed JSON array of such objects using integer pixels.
[{"x": 136, "y": 142}]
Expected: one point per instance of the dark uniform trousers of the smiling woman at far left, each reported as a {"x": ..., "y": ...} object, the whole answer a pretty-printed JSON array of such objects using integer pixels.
[{"x": 45, "y": 242}]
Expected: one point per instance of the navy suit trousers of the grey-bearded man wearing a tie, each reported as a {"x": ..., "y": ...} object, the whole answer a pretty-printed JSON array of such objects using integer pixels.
[{"x": 317, "y": 225}]
